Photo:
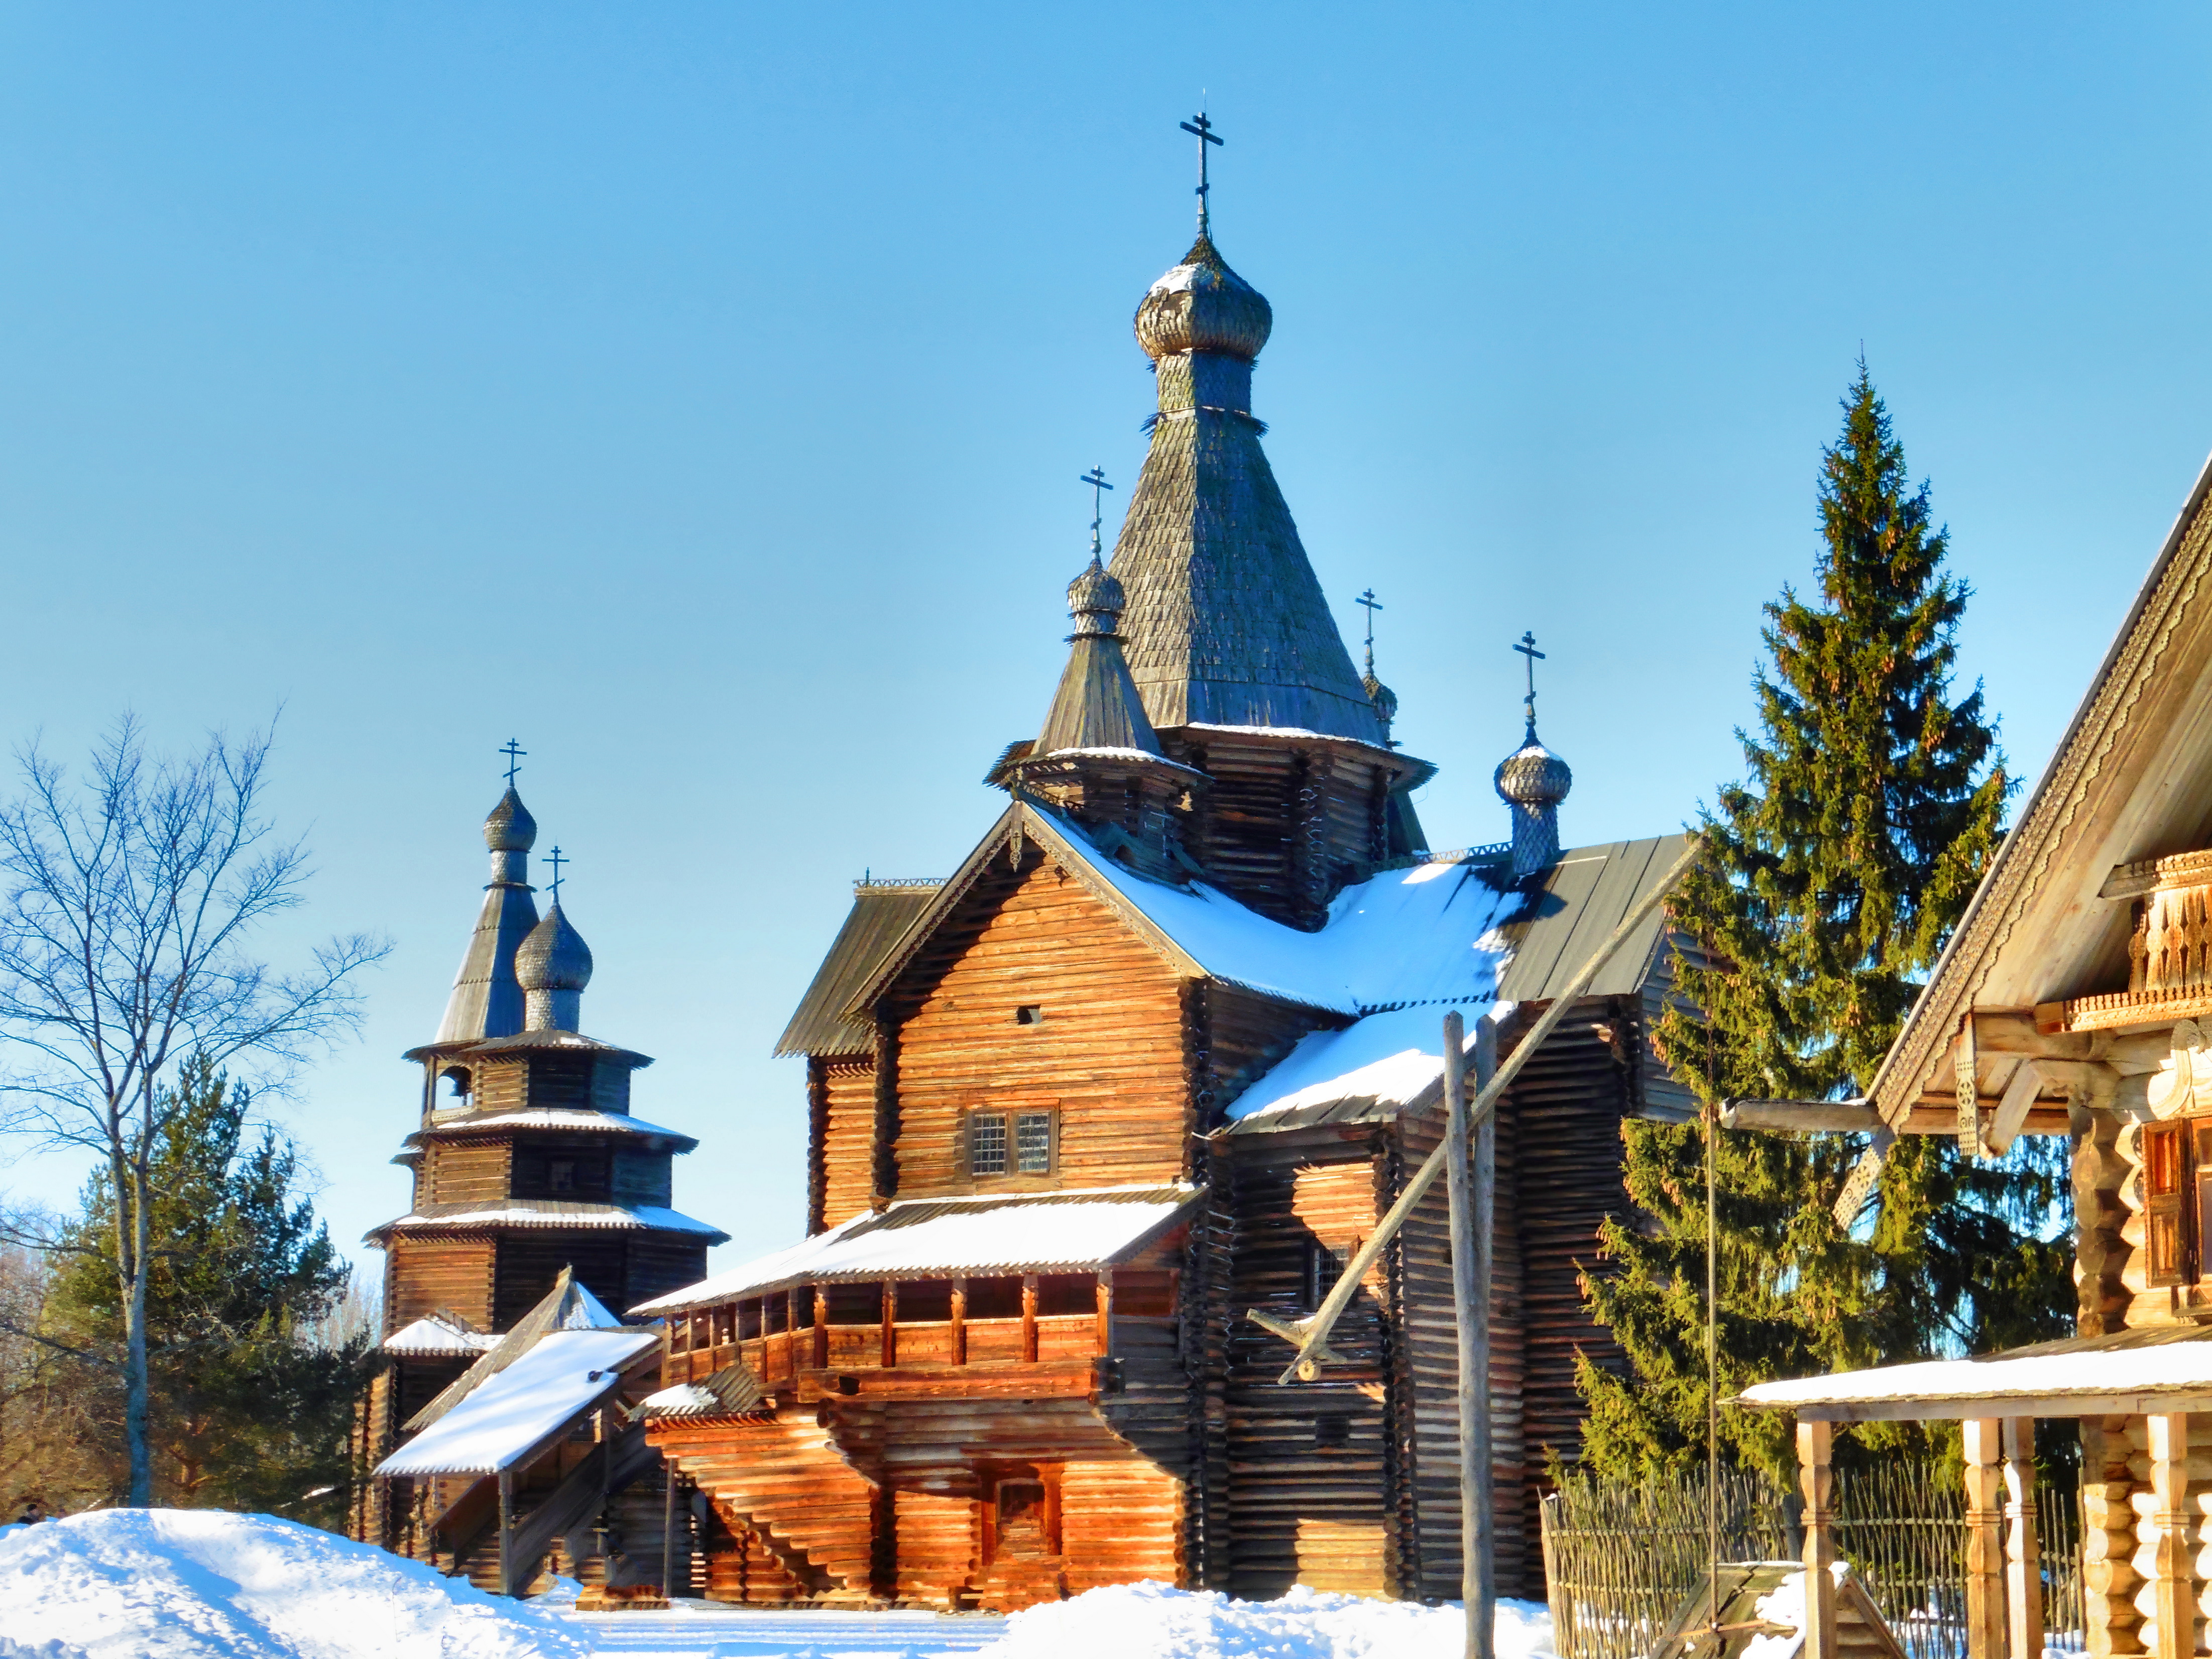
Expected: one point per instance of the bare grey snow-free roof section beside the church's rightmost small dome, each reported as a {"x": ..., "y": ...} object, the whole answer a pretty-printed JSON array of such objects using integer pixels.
[{"x": 1578, "y": 906}]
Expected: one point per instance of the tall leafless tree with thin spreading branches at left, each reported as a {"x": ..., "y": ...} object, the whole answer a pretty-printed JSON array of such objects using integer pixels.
[{"x": 125, "y": 950}]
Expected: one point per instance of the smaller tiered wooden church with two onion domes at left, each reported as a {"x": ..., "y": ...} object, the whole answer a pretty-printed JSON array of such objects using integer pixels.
[{"x": 530, "y": 1171}]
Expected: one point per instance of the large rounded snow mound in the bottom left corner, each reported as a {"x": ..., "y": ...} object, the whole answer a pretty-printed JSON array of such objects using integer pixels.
[{"x": 211, "y": 1585}]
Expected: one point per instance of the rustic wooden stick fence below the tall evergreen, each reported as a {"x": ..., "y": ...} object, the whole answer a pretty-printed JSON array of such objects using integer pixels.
[{"x": 1620, "y": 1561}]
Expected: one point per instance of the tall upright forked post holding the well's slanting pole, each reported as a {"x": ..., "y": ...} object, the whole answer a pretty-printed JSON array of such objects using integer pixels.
[{"x": 1470, "y": 1204}]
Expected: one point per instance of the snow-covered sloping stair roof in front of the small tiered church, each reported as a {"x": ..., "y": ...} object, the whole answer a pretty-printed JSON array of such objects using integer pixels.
[{"x": 510, "y": 1415}]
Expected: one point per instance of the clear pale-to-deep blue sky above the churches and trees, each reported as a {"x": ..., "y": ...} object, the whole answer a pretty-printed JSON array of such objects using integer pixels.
[{"x": 696, "y": 393}]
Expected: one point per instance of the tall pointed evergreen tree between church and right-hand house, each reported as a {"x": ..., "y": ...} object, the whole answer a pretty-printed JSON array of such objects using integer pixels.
[{"x": 1833, "y": 877}]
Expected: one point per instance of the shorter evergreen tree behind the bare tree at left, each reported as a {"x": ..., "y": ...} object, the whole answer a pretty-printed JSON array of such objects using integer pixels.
[{"x": 249, "y": 1408}]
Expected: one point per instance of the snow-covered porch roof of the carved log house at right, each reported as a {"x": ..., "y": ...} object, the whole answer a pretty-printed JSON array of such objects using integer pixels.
[{"x": 2173, "y": 1361}]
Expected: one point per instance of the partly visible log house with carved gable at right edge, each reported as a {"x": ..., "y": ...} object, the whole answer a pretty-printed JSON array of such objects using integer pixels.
[{"x": 2076, "y": 999}]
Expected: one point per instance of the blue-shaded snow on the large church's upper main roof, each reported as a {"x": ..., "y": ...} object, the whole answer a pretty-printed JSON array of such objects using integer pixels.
[{"x": 1406, "y": 937}]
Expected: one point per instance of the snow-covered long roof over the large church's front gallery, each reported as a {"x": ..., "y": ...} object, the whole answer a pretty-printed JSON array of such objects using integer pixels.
[{"x": 935, "y": 1238}]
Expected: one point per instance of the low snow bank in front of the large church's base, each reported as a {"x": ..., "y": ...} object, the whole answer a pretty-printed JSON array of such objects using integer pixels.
[{"x": 1156, "y": 1623}]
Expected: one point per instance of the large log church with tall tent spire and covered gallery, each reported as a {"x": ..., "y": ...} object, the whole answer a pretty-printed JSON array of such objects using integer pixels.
[{"x": 1162, "y": 1052}]
